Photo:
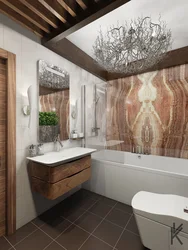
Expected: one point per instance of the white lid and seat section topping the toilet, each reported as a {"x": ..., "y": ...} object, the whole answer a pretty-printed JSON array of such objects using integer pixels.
[{"x": 162, "y": 208}]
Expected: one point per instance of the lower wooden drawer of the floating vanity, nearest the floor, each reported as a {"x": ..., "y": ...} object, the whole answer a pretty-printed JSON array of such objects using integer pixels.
[{"x": 54, "y": 190}]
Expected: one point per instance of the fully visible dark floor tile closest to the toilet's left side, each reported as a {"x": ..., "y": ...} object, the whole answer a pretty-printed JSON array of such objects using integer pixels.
[{"x": 118, "y": 217}]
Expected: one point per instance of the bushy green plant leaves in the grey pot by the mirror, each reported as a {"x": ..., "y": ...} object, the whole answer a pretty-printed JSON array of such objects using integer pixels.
[{"x": 48, "y": 119}]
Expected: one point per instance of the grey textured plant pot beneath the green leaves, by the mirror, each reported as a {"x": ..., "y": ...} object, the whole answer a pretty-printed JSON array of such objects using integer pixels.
[{"x": 48, "y": 133}]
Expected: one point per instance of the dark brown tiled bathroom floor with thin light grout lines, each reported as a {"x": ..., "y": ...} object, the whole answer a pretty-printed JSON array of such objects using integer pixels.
[{"x": 84, "y": 221}]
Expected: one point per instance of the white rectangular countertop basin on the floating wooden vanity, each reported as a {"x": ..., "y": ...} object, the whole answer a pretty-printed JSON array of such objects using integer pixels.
[{"x": 63, "y": 156}]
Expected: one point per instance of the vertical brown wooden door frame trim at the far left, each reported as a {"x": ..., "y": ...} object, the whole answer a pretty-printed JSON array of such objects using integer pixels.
[{"x": 11, "y": 144}]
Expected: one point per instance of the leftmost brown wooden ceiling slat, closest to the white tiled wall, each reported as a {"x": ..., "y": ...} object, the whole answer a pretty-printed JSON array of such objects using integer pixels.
[{"x": 26, "y": 13}]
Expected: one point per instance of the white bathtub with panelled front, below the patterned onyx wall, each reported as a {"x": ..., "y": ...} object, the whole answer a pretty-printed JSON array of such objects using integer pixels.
[{"x": 120, "y": 175}]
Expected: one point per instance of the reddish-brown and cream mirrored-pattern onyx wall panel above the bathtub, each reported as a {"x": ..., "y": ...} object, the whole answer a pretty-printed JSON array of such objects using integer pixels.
[{"x": 151, "y": 111}]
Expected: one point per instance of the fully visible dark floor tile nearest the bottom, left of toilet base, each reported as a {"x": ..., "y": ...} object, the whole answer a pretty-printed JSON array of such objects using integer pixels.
[{"x": 108, "y": 232}]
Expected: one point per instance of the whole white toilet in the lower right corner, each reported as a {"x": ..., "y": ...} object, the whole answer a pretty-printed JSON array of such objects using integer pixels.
[{"x": 162, "y": 220}]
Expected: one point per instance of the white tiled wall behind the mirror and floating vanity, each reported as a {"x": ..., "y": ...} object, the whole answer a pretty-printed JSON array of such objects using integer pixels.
[{"x": 28, "y": 51}]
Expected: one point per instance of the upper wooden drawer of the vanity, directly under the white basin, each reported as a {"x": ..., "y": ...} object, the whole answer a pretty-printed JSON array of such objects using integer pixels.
[{"x": 55, "y": 174}]
